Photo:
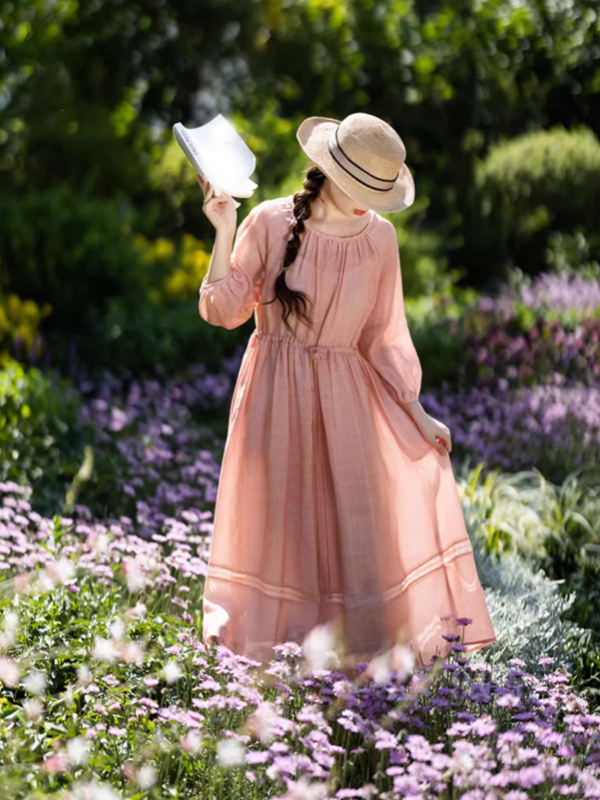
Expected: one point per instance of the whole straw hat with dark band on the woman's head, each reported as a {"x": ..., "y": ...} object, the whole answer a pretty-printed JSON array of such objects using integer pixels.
[{"x": 364, "y": 156}]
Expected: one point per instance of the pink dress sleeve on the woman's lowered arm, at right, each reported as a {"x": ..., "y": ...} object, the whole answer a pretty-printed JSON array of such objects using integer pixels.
[{"x": 385, "y": 340}]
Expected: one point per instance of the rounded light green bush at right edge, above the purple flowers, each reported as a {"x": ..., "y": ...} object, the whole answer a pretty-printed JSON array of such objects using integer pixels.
[{"x": 525, "y": 189}]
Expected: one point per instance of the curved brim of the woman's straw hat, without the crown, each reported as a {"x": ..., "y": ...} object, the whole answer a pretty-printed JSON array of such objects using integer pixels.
[{"x": 313, "y": 133}]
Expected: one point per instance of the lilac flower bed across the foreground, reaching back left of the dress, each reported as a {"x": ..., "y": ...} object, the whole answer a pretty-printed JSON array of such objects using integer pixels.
[{"x": 107, "y": 690}]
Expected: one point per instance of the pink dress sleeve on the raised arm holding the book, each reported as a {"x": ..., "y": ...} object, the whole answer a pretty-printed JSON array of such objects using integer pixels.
[{"x": 230, "y": 301}]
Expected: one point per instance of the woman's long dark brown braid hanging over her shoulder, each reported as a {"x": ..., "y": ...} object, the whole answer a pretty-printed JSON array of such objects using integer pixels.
[{"x": 291, "y": 299}]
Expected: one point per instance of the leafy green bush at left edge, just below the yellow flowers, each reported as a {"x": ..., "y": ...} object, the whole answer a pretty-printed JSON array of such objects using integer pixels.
[{"x": 41, "y": 436}]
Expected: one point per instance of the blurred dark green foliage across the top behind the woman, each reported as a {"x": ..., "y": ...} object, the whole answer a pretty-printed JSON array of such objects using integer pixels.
[{"x": 89, "y": 90}]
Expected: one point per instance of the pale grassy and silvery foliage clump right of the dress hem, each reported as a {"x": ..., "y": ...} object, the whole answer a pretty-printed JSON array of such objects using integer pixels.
[{"x": 537, "y": 547}]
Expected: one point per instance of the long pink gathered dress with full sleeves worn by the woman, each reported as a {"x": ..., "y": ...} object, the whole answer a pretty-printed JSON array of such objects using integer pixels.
[{"x": 331, "y": 506}]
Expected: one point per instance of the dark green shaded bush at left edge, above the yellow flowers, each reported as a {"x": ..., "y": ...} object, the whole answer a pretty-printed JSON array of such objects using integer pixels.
[{"x": 77, "y": 255}]
